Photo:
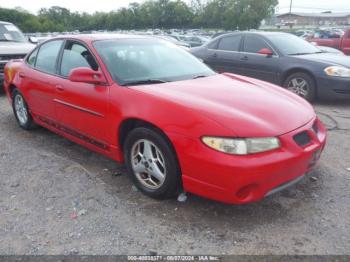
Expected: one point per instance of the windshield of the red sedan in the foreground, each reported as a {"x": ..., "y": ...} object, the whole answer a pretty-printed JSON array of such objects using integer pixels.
[{"x": 149, "y": 60}]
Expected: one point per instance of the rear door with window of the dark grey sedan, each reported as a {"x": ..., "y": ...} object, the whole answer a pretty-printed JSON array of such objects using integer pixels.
[{"x": 225, "y": 56}]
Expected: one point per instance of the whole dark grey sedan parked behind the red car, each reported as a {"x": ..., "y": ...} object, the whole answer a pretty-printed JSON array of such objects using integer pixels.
[{"x": 282, "y": 59}]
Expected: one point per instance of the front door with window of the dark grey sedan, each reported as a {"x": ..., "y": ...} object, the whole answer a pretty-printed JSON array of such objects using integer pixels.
[{"x": 257, "y": 65}]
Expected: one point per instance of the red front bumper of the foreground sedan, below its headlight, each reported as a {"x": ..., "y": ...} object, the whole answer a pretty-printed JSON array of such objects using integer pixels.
[{"x": 243, "y": 179}]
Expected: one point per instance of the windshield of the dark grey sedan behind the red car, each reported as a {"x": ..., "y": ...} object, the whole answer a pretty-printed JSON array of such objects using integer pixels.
[{"x": 289, "y": 44}]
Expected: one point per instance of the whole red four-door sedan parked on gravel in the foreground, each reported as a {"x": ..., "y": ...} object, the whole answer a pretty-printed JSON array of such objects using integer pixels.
[{"x": 176, "y": 124}]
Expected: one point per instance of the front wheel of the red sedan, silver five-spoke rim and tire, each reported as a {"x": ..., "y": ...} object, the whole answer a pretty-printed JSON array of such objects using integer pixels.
[{"x": 151, "y": 163}]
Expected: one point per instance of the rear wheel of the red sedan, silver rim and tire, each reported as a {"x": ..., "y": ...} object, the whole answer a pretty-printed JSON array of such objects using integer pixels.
[{"x": 21, "y": 111}]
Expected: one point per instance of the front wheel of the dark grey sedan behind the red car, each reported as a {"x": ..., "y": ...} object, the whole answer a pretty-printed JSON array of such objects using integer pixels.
[{"x": 301, "y": 84}]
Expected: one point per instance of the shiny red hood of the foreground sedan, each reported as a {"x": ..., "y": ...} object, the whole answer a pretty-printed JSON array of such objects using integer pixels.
[{"x": 247, "y": 107}]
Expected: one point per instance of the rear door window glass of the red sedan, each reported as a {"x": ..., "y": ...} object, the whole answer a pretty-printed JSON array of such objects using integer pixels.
[{"x": 47, "y": 57}]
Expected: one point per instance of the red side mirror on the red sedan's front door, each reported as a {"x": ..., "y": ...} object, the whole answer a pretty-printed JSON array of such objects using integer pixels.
[{"x": 87, "y": 75}]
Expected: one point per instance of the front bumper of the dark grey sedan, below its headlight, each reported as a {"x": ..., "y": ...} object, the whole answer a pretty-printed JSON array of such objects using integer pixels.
[{"x": 333, "y": 87}]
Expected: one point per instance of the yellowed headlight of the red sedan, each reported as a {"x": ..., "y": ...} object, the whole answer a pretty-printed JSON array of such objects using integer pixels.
[{"x": 242, "y": 146}]
